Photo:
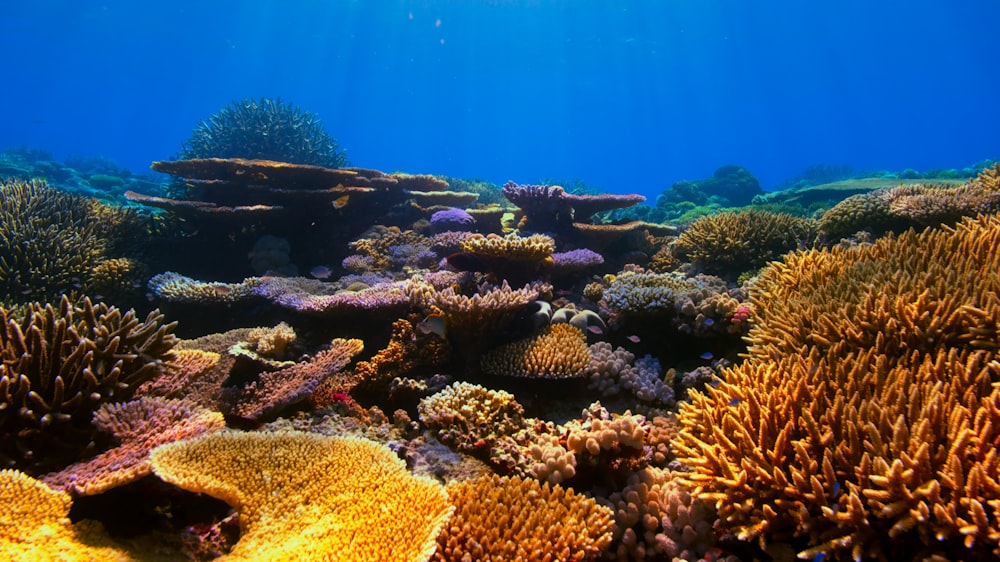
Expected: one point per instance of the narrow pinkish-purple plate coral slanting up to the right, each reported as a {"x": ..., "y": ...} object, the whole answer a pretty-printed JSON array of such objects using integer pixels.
[{"x": 275, "y": 390}]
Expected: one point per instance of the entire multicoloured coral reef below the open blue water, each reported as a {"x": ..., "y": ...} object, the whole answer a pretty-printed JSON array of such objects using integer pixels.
[{"x": 277, "y": 356}]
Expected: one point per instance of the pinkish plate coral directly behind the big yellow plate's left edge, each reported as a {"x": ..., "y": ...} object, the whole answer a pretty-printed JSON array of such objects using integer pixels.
[{"x": 138, "y": 427}]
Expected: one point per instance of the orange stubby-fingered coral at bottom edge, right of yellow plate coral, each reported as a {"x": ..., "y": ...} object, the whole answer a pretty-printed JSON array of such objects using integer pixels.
[{"x": 514, "y": 519}]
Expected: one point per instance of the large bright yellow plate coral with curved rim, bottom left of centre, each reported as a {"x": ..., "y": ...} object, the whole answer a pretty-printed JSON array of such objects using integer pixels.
[{"x": 307, "y": 497}]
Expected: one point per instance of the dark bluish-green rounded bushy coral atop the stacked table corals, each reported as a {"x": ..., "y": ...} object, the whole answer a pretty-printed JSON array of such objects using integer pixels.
[{"x": 265, "y": 129}]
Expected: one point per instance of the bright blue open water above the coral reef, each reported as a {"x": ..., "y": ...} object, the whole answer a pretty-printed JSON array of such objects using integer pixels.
[{"x": 627, "y": 96}]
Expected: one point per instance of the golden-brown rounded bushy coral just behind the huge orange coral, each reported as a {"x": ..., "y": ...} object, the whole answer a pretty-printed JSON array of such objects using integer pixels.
[{"x": 730, "y": 243}]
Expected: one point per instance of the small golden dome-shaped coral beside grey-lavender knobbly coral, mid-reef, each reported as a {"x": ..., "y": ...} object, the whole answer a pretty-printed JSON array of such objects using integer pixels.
[{"x": 558, "y": 352}]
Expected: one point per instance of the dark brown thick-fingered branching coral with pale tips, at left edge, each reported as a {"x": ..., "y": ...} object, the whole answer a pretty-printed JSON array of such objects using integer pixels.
[{"x": 59, "y": 364}]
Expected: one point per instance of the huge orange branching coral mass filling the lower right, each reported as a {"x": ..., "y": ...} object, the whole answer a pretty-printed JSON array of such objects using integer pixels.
[{"x": 865, "y": 421}]
